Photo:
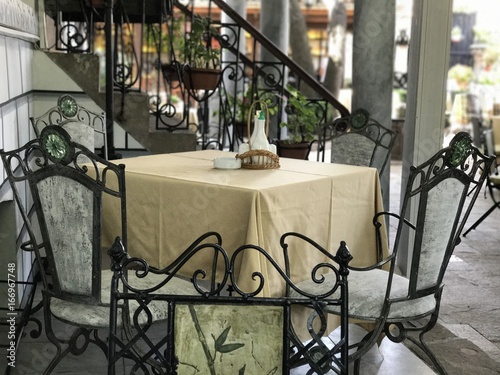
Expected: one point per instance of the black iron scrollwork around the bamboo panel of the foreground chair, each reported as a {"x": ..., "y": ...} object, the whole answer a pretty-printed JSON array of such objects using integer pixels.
[{"x": 227, "y": 272}]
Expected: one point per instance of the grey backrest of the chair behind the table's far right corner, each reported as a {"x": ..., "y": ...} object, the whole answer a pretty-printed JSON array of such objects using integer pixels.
[{"x": 360, "y": 140}]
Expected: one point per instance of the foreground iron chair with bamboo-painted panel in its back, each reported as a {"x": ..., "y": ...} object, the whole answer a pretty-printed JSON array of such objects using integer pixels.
[{"x": 239, "y": 332}]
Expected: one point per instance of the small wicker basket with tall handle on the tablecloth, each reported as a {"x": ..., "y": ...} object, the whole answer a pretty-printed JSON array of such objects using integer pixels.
[{"x": 258, "y": 159}]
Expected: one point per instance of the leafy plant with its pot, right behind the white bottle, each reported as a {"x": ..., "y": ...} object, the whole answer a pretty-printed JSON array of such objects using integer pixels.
[{"x": 302, "y": 125}]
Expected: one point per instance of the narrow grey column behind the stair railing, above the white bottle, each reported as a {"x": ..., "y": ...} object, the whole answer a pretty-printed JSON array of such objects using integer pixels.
[{"x": 275, "y": 25}]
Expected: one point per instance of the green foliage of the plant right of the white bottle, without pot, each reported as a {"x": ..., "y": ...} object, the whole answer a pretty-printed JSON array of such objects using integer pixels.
[{"x": 303, "y": 123}]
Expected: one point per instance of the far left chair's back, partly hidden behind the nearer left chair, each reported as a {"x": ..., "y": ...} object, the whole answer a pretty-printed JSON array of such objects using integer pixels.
[{"x": 82, "y": 124}]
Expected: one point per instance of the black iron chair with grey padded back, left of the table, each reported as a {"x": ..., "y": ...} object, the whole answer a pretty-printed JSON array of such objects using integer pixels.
[{"x": 67, "y": 199}]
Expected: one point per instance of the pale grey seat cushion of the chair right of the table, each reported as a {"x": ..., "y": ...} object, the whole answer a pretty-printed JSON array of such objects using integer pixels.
[{"x": 367, "y": 293}]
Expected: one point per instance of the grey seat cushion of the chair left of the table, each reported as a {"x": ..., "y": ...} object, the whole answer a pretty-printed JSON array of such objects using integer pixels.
[{"x": 97, "y": 316}]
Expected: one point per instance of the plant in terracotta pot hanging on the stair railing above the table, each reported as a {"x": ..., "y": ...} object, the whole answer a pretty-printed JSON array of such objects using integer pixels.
[{"x": 201, "y": 71}]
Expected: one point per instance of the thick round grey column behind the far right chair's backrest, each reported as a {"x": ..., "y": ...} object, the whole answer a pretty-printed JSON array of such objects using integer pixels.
[{"x": 373, "y": 58}]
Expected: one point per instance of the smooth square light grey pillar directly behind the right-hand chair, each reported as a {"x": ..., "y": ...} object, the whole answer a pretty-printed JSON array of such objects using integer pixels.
[{"x": 426, "y": 99}]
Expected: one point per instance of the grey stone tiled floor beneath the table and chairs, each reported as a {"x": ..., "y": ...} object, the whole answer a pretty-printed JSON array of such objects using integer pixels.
[{"x": 467, "y": 340}]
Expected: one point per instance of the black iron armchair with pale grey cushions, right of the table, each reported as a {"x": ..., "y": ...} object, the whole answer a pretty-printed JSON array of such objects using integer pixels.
[{"x": 402, "y": 305}]
